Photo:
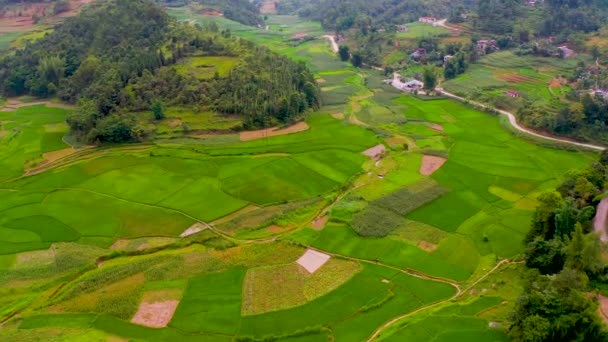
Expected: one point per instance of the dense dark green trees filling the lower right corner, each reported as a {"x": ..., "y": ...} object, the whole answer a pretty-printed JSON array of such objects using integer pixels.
[{"x": 565, "y": 263}]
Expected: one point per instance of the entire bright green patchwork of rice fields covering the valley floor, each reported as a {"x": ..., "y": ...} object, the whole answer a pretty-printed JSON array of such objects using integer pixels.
[{"x": 86, "y": 238}]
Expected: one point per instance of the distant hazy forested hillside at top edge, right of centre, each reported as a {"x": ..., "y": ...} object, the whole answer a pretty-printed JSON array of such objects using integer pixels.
[{"x": 343, "y": 14}]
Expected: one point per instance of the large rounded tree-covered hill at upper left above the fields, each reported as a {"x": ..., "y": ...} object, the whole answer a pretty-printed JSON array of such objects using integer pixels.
[{"x": 120, "y": 57}]
